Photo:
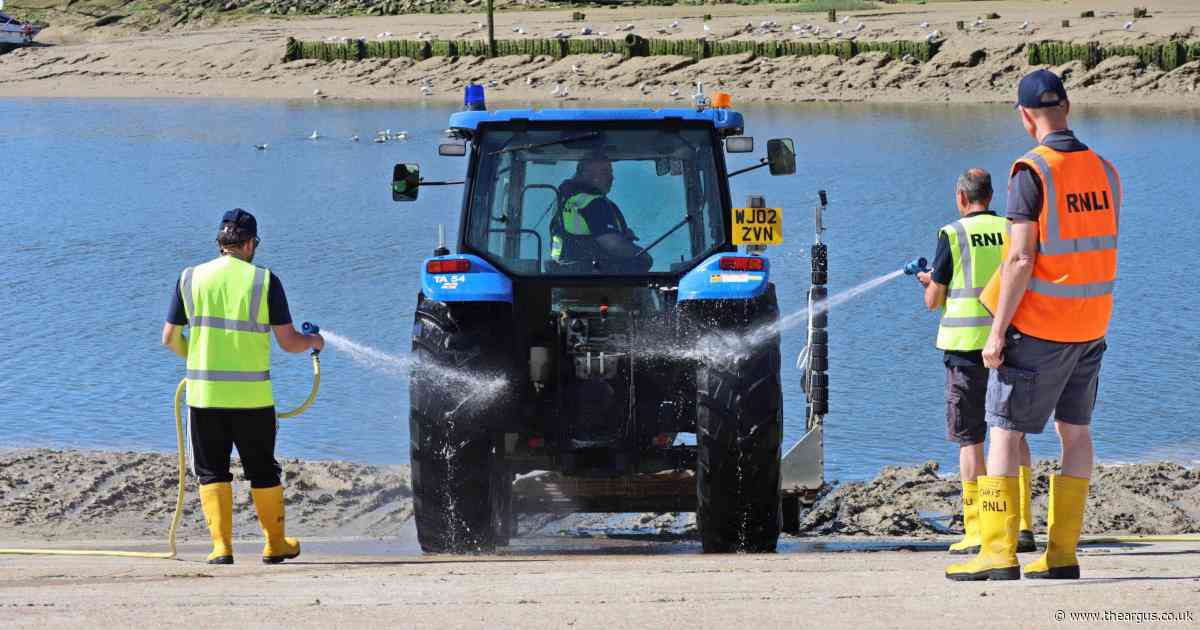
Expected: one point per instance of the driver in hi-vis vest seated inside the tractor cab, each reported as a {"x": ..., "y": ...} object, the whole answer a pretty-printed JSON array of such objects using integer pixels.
[{"x": 591, "y": 229}]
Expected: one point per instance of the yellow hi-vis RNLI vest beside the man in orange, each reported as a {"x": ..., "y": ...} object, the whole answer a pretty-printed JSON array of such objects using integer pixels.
[{"x": 976, "y": 243}]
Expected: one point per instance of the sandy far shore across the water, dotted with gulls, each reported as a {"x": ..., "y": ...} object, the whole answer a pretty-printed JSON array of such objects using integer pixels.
[{"x": 243, "y": 58}]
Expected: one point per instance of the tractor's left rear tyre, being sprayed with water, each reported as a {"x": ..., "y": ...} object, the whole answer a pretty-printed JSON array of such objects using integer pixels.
[{"x": 452, "y": 423}]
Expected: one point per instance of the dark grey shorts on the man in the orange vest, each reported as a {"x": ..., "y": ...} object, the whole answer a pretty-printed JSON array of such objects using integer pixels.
[{"x": 1042, "y": 379}]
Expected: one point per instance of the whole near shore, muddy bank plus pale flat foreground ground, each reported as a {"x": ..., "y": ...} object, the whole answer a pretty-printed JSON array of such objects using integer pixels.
[{"x": 871, "y": 559}]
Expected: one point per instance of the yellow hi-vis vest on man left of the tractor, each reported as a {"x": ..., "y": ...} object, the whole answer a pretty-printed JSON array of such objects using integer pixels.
[{"x": 229, "y": 343}]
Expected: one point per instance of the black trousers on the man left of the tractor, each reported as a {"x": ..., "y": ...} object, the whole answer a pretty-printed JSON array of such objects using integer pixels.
[{"x": 217, "y": 431}]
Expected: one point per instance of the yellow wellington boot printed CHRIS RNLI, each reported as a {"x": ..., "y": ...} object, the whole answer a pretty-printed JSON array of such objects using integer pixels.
[{"x": 998, "y": 533}]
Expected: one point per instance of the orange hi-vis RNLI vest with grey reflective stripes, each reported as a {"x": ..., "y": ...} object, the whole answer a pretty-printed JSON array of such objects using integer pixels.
[{"x": 1071, "y": 295}]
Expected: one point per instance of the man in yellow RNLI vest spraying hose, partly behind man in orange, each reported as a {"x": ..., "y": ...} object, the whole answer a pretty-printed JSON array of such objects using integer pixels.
[{"x": 968, "y": 256}]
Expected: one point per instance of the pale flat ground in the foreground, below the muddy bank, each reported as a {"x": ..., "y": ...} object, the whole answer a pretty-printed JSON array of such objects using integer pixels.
[{"x": 615, "y": 587}]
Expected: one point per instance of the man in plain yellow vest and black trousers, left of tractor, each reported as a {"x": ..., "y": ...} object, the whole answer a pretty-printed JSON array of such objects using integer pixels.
[{"x": 231, "y": 308}]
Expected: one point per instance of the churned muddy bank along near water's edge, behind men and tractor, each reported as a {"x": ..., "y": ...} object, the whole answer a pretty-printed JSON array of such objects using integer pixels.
[{"x": 77, "y": 495}]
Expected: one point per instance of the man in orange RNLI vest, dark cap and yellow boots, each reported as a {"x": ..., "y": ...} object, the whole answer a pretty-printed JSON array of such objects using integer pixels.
[{"x": 1047, "y": 339}]
